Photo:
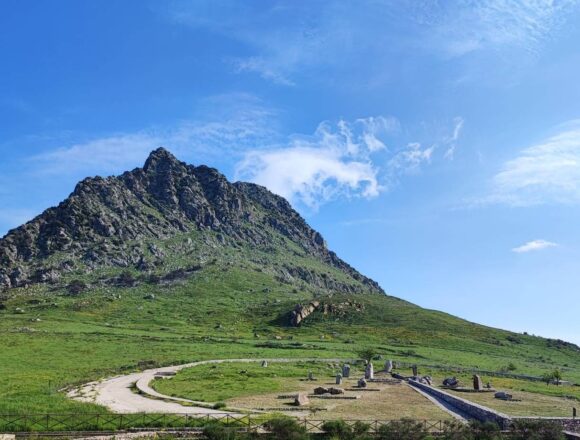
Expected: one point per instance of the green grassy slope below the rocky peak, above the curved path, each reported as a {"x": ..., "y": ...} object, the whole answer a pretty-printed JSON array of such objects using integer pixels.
[{"x": 215, "y": 314}]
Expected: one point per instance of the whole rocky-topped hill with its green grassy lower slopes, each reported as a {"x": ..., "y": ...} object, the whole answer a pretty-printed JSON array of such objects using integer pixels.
[{"x": 171, "y": 263}]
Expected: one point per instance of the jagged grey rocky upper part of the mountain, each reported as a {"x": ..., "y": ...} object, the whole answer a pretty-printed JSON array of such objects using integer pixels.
[{"x": 103, "y": 221}]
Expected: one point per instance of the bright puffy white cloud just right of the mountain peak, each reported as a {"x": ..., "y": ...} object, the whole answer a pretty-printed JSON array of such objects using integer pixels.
[{"x": 335, "y": 161}]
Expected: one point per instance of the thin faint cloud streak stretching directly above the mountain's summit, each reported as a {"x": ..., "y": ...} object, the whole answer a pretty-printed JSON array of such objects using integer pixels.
[{"x": 229, "y": 122}]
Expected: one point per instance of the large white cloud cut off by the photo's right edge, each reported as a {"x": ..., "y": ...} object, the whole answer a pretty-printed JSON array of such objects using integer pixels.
[{"x": 545, "y": 173}]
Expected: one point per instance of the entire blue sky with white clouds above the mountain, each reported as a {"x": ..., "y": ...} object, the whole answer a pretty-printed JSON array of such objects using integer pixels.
[{"x": 436, "y": 145}]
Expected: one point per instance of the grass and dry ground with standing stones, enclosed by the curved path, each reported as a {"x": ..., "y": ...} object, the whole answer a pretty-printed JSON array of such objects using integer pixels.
[{"x": 251, "y": 386}]
